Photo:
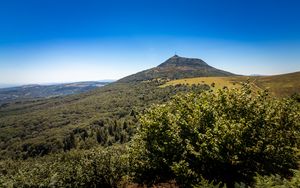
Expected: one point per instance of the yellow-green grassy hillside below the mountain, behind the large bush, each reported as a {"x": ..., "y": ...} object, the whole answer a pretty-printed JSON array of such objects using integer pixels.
[{"x": 279, "y": 85}]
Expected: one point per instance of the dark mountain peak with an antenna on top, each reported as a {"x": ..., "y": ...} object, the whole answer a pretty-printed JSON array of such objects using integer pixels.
[{"x": 177, "y": 67}]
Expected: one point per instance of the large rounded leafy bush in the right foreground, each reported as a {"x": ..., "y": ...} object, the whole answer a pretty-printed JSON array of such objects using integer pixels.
[{"x": 227, "y": 136}]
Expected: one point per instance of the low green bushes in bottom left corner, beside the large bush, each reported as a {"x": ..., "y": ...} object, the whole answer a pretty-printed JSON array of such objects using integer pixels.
[{"x": 101, "y": 167}]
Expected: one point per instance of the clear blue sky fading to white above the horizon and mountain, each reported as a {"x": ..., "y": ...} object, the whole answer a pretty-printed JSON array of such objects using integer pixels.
[{"x": 44, "y": 41}]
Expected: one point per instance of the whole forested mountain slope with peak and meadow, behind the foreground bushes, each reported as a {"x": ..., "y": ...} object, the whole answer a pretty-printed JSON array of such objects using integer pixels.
[{"x": 105, "y": 115}]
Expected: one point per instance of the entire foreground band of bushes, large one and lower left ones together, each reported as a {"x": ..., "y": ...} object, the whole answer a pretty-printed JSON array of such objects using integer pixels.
[{"x": 228, "y": 138}]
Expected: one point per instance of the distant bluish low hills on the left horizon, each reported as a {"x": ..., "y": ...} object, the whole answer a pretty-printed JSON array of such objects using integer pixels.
[{"x": 46, "y": 91}]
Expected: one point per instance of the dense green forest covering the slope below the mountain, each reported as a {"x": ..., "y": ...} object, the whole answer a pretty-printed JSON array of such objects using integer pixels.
[{"x": 105, "y": 116}]
